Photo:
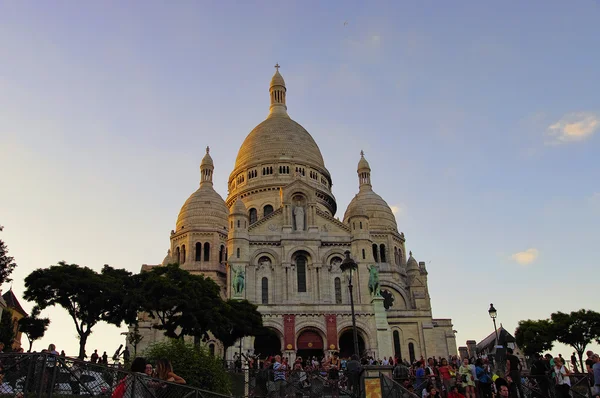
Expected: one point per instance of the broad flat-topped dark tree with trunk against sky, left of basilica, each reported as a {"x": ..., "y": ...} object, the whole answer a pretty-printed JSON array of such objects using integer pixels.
[{"x": 88, "y": 296}]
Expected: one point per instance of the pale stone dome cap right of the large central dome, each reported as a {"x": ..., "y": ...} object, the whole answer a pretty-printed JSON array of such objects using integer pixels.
[{"x": 379, "y": 212}]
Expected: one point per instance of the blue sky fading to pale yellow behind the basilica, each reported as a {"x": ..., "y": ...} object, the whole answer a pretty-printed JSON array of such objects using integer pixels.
[{"x": 481, "y": 123}]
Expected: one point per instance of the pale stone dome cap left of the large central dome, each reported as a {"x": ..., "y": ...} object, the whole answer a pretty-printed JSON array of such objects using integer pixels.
[{"x": 205, "y": 208}]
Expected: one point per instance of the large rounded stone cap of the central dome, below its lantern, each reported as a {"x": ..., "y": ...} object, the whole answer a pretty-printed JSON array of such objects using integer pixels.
[{"x": 276, "y": 138}]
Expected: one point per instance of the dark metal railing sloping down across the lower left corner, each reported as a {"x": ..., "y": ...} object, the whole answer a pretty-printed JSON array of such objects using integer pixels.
[{"x": 47, "y": 375}]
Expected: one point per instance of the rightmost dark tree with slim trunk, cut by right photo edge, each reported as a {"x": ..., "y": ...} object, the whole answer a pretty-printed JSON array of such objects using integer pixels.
[{"x": 577, "y": 329}]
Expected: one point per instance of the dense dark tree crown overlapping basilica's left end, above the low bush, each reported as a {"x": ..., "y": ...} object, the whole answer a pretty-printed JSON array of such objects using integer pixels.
[{"x": 184, "y": 304}]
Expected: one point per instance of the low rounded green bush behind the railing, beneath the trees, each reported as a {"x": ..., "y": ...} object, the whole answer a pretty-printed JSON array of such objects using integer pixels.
[{"x": 193, "y": 363}]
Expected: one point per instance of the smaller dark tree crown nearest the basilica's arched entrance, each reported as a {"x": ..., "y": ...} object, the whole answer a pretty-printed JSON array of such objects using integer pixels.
[{"x": 238, "y": 318}]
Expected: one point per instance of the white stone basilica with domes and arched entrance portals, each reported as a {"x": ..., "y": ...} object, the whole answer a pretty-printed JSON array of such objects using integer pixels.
[{"x": 276, "y": 241}]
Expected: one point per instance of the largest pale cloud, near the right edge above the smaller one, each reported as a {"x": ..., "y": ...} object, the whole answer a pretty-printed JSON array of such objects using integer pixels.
[{"x": 573, "y": 127}]
